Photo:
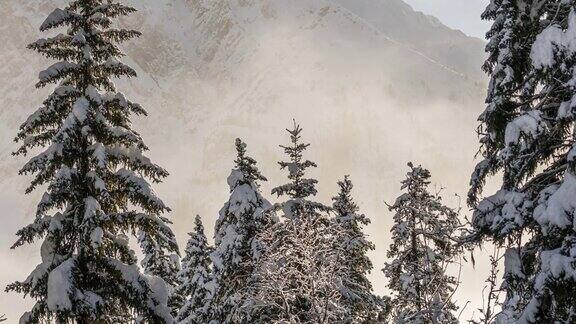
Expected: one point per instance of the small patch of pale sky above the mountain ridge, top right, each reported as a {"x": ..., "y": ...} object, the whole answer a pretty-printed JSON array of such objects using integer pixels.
[{"x": 458, "y": 14}]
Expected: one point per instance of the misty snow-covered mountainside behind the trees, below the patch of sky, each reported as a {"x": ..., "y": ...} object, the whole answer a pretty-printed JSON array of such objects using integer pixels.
[{"x": 363, "y": 77}]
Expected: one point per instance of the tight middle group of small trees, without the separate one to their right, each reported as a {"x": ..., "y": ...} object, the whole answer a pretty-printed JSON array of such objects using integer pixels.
[{"x": 295, "y": 261}]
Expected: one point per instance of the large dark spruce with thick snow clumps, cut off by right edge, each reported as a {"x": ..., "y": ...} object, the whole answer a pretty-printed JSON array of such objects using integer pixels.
[{"x": 527, "y": 137}]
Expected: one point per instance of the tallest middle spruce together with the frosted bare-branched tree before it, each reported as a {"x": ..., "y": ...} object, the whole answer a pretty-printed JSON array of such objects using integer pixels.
[{"x": 295, "y": 279}]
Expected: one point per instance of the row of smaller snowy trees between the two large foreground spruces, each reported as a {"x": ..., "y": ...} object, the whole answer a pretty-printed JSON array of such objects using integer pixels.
[{"x": 300, "y": 261}]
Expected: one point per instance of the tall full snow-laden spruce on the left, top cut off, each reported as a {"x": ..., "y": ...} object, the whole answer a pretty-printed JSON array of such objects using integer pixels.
[{"x": 94, "y": 171}]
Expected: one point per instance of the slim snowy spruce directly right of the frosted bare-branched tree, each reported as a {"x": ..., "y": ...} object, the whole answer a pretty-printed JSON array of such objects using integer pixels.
[{"x": 358, "y": 297}]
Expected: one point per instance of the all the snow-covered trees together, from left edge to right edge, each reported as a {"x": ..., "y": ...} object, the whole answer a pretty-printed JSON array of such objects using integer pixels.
[{"x": 299, "y": 260}]
